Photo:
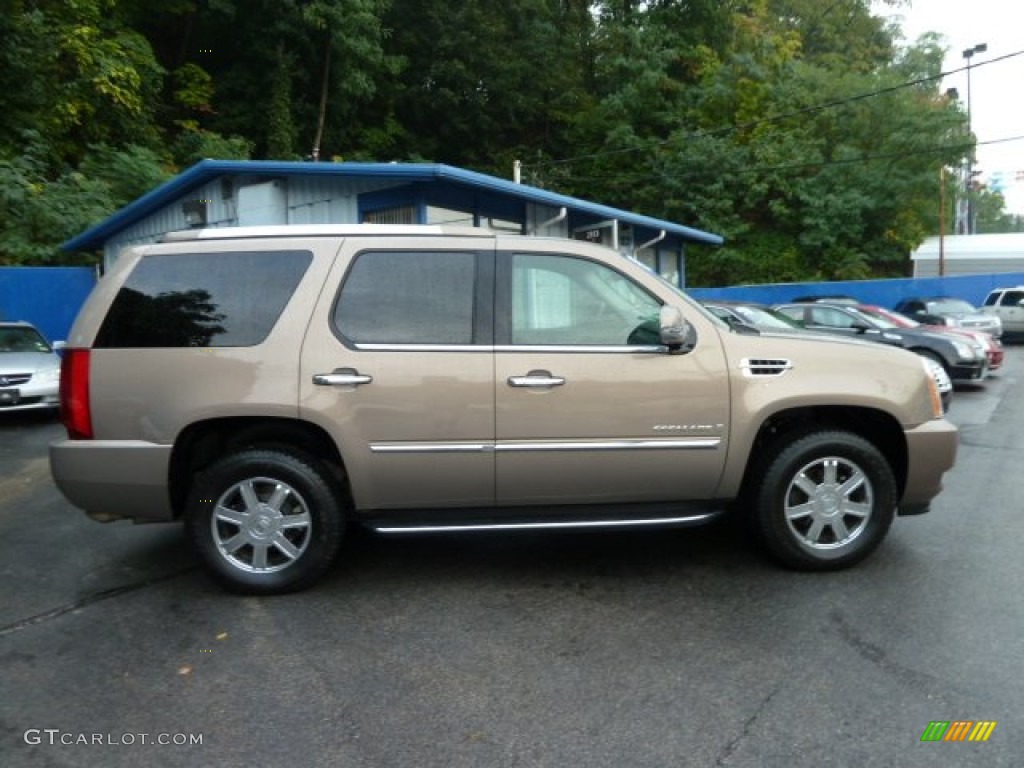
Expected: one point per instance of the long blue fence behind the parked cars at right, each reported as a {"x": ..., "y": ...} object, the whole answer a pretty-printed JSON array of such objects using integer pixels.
[{"x": 971, "y": 288}]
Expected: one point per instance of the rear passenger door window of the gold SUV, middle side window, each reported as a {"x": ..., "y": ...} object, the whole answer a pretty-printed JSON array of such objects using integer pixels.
[{"x": 409, "y": 297}]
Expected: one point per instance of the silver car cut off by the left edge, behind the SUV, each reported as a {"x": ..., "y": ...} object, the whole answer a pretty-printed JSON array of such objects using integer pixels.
[{"x": 30, "y": 370}]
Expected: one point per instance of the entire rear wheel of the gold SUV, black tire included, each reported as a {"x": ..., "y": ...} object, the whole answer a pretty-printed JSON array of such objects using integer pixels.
[{"x": 266, "y": 522}]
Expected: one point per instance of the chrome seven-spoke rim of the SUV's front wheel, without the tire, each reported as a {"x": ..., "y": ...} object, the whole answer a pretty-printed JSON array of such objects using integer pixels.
[{"x": 829, "y": 503}]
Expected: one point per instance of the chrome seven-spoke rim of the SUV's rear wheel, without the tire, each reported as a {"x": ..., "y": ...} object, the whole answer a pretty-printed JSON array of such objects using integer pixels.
[{"x": 262, "y": 526}]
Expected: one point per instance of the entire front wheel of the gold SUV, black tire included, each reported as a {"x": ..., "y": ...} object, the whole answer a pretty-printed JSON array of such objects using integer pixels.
[{"x": 826, "y": 501}]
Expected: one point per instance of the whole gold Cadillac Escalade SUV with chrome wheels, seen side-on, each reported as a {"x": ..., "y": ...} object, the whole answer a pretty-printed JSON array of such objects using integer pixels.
[{"x": 272, "y": 387}]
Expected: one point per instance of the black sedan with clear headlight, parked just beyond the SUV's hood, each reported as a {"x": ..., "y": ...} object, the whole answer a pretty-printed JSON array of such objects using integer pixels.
[{"x": 962, "y": 359}]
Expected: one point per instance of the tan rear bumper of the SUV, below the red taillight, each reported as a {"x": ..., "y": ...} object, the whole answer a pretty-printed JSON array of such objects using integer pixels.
[{"x": 113, "y": 480}]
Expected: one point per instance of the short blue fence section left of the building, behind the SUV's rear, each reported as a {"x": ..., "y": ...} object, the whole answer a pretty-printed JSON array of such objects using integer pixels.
[{"x": 49, "y": 297}]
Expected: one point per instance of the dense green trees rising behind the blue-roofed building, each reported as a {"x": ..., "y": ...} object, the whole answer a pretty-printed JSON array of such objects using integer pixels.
[{"x": 798, "y": 130}]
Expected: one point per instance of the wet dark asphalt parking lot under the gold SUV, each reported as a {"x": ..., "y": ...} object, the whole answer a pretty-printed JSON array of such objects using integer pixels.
[{"x": 679, "y": 649}]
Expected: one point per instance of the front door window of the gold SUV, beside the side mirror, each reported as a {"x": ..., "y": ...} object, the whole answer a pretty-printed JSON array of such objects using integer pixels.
[{"x": 564, "y": 301}]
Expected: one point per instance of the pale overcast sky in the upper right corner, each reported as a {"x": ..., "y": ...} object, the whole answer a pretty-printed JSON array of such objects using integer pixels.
[{"x": 997, "y": 87}]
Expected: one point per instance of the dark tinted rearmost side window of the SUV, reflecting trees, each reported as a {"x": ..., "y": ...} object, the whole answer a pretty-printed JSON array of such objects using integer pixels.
[{"x": 203, "y": 300}]
